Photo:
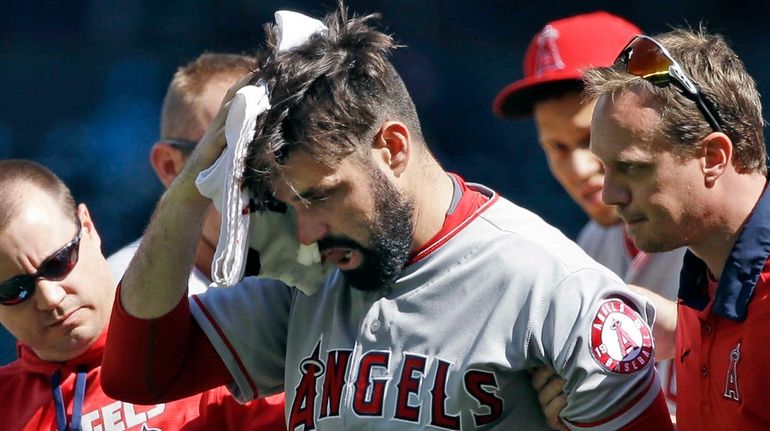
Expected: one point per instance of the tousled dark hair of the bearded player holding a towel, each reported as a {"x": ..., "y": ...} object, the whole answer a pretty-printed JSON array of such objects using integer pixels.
[{"x": 329, "y": 96}]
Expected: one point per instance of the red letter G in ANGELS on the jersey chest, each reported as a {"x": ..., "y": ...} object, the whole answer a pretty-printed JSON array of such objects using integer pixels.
[{"x": 366, "y": 402}]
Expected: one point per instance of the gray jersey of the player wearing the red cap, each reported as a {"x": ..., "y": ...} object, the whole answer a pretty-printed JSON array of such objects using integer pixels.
[{"x": 658, "y": 272}]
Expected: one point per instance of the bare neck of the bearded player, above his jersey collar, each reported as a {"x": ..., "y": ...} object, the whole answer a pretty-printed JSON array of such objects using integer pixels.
[{"x": 433, "y": 196}]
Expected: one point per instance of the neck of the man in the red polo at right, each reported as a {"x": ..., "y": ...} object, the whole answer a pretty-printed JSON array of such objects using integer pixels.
[{"x": 735, "y": 201}]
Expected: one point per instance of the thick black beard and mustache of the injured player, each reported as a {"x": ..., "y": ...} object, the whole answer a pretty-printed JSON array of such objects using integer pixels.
[{"x": 391, "y": 238}]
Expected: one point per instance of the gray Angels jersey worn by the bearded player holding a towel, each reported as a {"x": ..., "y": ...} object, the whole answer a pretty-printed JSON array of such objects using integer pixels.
[{"x": 450, "y": 345}]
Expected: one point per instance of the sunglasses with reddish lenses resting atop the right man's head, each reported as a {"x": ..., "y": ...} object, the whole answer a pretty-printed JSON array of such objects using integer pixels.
[{"x": 648, "y": 59}]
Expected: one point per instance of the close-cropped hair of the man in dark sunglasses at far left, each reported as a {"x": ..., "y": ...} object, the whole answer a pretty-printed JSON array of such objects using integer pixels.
[{"x": 15, "y": 172}]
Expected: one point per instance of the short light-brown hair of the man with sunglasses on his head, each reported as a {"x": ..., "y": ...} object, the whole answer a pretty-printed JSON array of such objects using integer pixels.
[{"x": 723, "y": 80}]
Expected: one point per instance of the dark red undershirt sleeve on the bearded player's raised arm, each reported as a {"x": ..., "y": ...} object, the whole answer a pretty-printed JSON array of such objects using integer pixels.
[{"x": 158, "y": 360}]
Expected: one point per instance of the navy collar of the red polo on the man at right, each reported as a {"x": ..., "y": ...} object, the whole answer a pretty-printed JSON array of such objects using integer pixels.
[{"x": 742, "y": 269}]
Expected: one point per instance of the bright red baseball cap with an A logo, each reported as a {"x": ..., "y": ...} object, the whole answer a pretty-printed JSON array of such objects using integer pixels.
[{"x": 559, "y": 52}]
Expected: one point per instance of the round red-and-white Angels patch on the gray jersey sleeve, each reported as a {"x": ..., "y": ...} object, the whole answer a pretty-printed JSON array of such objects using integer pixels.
[{"x": 621, "y": 341}]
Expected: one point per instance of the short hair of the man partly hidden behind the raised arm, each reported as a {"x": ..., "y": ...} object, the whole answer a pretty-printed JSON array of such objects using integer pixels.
[{"x": 186, "y": 89}]
